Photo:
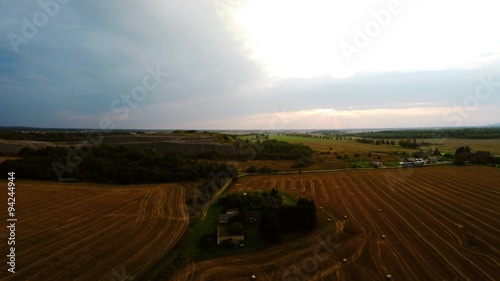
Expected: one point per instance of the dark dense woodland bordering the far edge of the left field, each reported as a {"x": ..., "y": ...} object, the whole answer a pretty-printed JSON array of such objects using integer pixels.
[{"x": 111, "y": 164}]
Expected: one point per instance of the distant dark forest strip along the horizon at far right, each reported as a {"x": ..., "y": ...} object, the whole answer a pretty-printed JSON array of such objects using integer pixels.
[{"x": 459, "y": 133}]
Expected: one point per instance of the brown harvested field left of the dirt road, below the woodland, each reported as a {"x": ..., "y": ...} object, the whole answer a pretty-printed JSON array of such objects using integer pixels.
[{"x": 90, "y": 231}]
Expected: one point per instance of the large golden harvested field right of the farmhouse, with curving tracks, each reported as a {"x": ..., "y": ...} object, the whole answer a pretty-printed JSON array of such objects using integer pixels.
[{"x": 439, "y": 223}]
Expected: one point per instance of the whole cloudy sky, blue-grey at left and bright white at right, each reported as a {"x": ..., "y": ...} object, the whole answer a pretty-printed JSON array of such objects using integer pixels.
[{"x": 249, "y": 64}]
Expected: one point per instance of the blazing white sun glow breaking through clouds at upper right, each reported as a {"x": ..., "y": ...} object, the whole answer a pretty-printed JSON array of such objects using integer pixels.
[{"x": 303, "y": 38}]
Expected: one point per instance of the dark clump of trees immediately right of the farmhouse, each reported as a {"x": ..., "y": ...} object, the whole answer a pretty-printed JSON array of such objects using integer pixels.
[{"x": 281, "y": 219}]
